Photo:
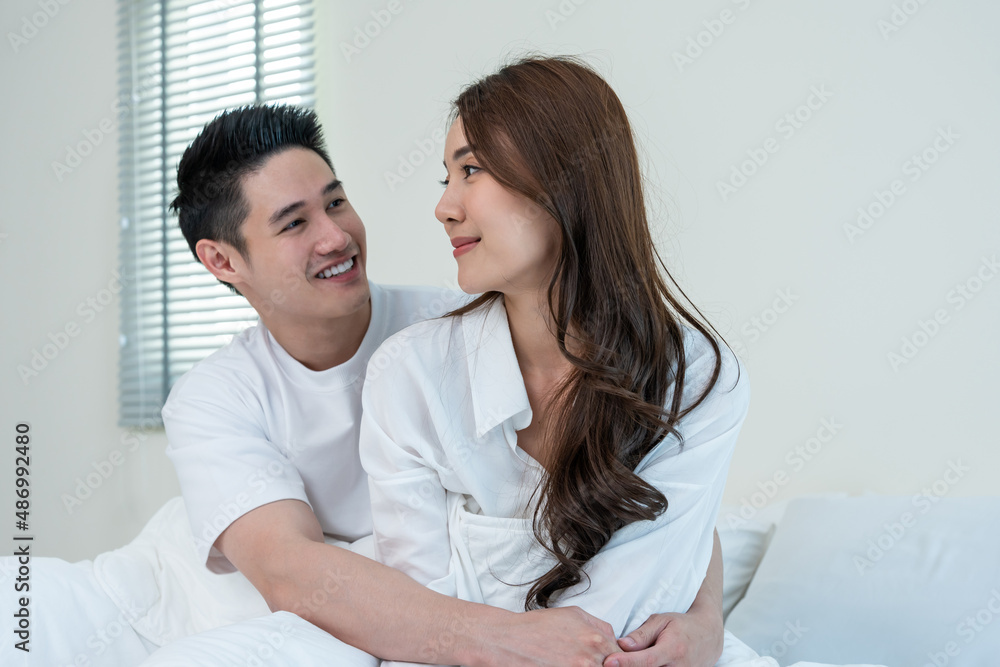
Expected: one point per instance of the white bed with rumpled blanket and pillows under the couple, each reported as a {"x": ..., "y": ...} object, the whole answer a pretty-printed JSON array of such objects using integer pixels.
[{"x": 837, "y": 580}]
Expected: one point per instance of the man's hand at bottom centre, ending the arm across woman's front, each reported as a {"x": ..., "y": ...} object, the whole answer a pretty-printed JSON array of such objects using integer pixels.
[{"x": 563, "y": 637}]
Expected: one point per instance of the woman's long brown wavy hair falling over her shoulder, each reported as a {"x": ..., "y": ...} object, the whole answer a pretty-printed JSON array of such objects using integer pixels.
[{"x": 552, "y": 129}]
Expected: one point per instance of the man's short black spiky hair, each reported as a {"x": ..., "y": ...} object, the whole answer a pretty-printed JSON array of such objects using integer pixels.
[{"x": 210, "y": 203}]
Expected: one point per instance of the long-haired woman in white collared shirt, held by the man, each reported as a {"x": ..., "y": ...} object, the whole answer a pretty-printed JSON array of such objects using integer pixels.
[{"x": 564, "y": 438}]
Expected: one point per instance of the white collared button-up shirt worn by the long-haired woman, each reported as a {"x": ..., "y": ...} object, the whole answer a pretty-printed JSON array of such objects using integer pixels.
[{"x": 451, "y": 490}]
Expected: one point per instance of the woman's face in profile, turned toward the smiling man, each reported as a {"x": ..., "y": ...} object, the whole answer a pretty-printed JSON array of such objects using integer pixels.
[{"x": 502, "y": 241}]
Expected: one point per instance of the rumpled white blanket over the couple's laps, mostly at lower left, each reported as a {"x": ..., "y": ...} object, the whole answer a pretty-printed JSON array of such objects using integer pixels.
[{"x": 154, "y": 592}]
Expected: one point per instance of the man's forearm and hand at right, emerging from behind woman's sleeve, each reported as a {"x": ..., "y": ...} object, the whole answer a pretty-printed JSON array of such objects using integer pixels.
[{"x": 693, "y": 639}]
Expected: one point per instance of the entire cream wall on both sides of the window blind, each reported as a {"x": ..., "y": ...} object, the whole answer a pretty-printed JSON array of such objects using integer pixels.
[{"x": 782, "y": 231}]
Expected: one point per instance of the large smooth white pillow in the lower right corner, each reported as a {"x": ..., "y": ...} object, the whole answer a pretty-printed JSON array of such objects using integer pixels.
[{"x": 900, "y": 581}]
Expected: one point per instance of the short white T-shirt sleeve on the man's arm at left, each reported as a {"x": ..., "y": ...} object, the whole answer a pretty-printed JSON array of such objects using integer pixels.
[{"x": 225, "y": 461}]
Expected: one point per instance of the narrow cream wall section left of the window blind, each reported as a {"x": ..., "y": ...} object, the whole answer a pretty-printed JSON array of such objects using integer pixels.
[{"x": 59, "y": 250}]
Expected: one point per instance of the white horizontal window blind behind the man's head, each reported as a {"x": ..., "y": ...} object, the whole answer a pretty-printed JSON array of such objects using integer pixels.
[{"x": 182, "y": 62}]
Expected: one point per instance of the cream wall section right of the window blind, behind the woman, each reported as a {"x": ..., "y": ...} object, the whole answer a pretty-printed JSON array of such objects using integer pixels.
[{"x": 783, "y": 231}]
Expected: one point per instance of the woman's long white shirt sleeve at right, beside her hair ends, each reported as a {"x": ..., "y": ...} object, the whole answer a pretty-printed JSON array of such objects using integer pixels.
[{"x": 658, "y": 566}]
